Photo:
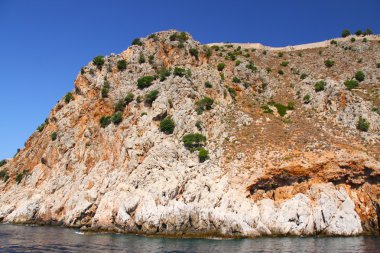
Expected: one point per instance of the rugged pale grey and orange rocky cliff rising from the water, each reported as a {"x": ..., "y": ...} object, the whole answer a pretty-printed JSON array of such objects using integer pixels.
[{"x": 285, "y": 155}]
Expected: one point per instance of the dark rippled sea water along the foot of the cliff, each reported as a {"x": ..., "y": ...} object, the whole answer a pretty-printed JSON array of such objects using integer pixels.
[{"x": 17, "y": 238}]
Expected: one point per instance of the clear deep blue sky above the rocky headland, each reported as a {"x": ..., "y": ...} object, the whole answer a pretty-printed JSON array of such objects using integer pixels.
[{"x": 44, "y": 43}]
